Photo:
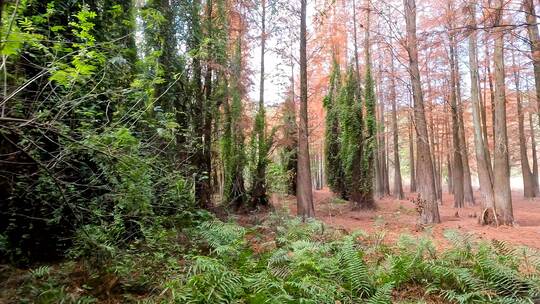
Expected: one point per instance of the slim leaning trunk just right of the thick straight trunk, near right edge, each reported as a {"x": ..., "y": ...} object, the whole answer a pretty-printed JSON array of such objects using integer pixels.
[{"x": 528, "y": 184}]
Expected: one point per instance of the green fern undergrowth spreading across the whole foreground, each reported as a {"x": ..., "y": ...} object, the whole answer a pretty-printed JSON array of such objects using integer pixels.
[{"x": 284, "y": 260}]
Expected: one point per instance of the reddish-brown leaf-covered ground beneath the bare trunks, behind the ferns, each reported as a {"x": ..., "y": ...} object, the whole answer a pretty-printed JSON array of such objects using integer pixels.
[{"x": 395, "y": 217}]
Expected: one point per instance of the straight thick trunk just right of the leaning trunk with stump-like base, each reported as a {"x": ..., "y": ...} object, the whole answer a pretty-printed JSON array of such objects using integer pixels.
[{"x": 501, "y": 165}]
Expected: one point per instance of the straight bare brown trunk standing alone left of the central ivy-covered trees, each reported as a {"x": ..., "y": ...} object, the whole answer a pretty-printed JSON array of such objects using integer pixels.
[{"x": 304, "y": 192}]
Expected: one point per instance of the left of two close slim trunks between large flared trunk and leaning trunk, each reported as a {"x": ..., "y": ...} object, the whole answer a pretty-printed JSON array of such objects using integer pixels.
[{"x": 457, "y": 169}]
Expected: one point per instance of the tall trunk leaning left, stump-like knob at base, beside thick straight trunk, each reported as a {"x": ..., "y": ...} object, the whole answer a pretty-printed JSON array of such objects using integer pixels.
[{"x": 482, "y": 160}]
